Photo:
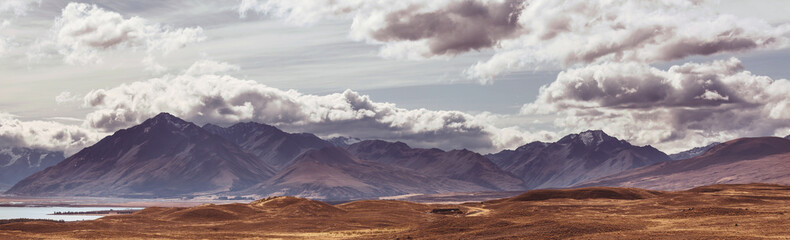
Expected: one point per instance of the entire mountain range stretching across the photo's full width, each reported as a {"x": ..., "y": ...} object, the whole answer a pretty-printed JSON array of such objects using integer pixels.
[{"x": 168, "y": 157}]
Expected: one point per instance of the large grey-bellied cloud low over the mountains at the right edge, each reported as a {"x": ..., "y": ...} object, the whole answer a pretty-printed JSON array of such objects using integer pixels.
[{"x": 687, "y": 105}]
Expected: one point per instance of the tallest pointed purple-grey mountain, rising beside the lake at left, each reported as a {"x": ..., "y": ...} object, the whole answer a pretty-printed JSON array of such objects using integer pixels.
[{"x": 163, "y": 156}]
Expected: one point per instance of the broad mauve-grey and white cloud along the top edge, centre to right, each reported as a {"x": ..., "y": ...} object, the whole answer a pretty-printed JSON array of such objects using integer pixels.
[{"x": 525, "y": 34}]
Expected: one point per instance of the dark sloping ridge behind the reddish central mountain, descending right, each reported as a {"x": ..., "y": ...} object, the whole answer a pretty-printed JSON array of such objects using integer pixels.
[{"x": 463, "y": 165}]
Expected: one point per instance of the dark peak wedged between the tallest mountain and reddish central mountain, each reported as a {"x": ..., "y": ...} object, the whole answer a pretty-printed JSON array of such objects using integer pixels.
[{"x": 270, "y": 145}]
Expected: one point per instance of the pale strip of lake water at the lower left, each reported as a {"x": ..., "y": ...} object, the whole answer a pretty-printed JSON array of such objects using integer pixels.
[{"x": 44, "y": 212}]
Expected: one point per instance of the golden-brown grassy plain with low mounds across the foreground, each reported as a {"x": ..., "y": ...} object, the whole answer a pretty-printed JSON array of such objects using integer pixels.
[{"x": 753, "y": 211}]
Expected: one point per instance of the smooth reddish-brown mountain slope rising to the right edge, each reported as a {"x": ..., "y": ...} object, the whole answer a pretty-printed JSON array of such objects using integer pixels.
[{"x": 745, "y": 160}]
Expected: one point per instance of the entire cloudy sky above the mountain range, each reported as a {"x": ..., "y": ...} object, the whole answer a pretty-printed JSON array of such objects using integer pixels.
[{"x": 484, "y": 75}]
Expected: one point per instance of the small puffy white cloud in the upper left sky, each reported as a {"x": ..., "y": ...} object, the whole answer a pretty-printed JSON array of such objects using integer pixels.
[{"x": 83, "y": 31}]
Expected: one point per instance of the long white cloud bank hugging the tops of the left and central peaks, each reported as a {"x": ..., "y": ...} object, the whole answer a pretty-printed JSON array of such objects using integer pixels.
[{"x": 203, "y": 95}]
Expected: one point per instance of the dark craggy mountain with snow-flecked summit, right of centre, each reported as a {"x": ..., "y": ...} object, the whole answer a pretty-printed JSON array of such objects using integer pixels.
[{"x": 575, "y": 158}]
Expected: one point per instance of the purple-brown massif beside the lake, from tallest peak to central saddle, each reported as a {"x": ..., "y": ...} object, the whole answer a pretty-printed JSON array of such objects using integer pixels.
[{"x": 168, "y": 157}]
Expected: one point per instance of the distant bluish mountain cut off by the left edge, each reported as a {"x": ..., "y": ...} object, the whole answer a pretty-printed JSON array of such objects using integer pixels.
[{"x": 17, "y": 163}]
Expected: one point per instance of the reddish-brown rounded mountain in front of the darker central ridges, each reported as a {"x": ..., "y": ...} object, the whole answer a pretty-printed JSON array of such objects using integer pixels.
[{"x": 332, "y": 173}]
